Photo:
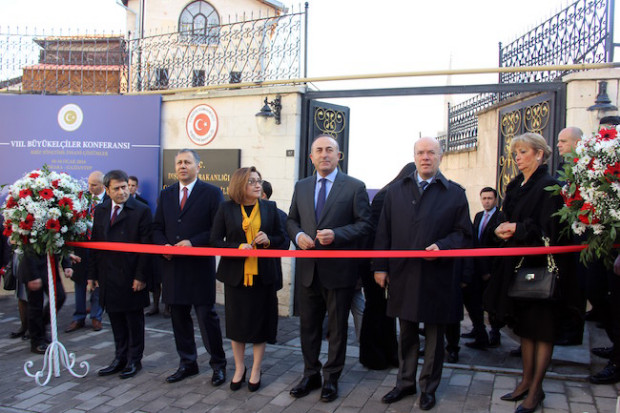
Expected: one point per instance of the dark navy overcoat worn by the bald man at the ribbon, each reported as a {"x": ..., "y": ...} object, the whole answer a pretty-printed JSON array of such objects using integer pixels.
[{"x": 422, "y": 290}]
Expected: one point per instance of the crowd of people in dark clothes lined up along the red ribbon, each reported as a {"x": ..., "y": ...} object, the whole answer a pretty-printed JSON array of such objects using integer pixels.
[{"x": 419, "y": 210}]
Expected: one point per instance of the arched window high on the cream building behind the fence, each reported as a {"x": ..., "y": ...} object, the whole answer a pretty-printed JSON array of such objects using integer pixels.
[{"x": 199, "y": 23}]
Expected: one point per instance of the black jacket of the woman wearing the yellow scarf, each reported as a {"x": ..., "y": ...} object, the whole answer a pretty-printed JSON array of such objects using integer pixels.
[{"x": 228, "y": 233}]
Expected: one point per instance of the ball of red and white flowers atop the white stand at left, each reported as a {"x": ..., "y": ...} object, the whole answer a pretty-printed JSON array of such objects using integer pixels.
[{"x": 44, "y": 210}]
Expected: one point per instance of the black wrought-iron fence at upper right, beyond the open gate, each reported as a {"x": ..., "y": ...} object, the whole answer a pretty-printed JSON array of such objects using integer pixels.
[{"x": 581, "y": 33}]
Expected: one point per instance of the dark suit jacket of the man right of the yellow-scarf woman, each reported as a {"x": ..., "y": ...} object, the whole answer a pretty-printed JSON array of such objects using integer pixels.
[{"x": 346, "y": 212}]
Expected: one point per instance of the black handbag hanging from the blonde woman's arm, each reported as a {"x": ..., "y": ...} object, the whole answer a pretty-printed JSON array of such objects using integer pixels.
[{"x": 535, "y": 283}]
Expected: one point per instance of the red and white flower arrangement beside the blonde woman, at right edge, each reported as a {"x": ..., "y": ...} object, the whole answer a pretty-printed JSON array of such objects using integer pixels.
[{"x": 592, "y": 194}]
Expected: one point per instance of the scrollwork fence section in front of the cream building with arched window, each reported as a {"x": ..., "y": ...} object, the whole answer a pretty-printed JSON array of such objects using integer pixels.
[{"x": 249, "y": 51}]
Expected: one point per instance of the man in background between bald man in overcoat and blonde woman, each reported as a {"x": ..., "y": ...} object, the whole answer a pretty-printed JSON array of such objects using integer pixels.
[{"x": 484, "y": 224}]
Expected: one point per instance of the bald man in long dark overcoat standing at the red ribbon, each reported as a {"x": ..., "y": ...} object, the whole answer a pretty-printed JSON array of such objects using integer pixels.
[{"x": 423, "y": 211}]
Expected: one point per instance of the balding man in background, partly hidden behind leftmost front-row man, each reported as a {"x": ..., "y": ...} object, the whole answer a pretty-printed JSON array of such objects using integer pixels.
[{"x": 80, "y": 268}]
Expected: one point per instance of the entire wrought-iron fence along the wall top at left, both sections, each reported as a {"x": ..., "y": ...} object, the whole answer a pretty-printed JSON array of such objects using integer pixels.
[{"x": 255, "y": 50}]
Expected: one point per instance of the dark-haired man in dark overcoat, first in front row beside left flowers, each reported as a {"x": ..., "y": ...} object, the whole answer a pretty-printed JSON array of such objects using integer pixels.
[{"x": 121, "y": 276}]
